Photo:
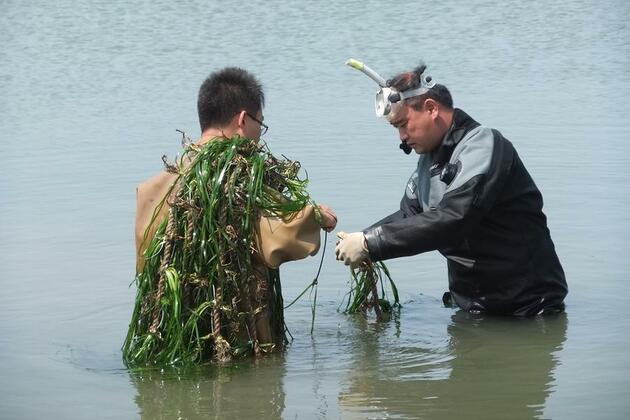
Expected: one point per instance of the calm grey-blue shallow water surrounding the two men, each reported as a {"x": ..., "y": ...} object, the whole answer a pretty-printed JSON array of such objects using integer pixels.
[{"x": 91, "y": 94}]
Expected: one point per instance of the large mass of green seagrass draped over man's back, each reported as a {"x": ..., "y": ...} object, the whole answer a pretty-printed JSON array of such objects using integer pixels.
[{"x": 194, "y": 293}]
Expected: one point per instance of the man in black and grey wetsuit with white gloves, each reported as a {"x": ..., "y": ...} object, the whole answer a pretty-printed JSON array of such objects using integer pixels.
[{"x": 470, "y": 198}]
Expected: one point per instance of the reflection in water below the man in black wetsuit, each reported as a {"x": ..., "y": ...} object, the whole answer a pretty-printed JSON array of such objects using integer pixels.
[{"x": 494, "y": 367}]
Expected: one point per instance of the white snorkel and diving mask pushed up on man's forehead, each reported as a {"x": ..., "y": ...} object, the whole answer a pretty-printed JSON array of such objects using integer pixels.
[{"x": 389, "y": 100}]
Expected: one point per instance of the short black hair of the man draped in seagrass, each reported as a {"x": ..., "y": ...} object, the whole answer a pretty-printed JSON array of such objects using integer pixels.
[{"x": 225, "y": 93}]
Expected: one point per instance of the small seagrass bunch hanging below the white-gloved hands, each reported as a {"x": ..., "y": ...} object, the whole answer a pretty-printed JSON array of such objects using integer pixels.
[{"x": 365, "y": 283}]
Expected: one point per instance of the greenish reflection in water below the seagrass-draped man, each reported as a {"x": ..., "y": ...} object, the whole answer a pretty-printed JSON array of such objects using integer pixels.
[{"x": 250, "y": 389}]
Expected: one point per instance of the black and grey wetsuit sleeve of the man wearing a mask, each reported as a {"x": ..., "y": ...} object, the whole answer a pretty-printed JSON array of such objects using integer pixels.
[{"x": 483, "y": 161}]
